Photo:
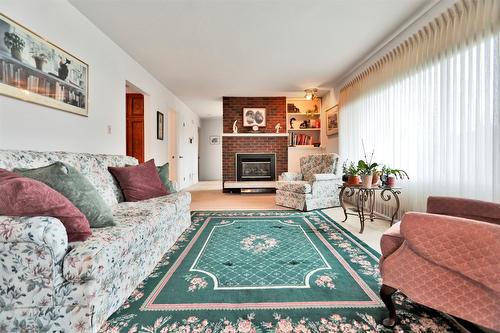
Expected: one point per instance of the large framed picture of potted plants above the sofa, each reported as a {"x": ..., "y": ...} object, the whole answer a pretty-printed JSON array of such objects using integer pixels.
[{"x": 35, "y": 70}]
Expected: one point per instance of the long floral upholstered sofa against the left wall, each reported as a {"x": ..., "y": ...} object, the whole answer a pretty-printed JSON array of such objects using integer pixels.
[{"x": 48, "y": 284}]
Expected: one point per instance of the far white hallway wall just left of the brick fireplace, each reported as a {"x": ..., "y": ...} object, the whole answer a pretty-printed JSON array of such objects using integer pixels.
[{"x": 210, "y": 155}]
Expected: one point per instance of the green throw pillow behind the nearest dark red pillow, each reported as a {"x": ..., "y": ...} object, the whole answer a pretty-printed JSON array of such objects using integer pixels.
[{"x": 66, "y": 180}]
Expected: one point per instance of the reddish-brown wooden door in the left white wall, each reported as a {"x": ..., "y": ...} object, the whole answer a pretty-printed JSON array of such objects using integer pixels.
[{"x": 135, "y": 126}]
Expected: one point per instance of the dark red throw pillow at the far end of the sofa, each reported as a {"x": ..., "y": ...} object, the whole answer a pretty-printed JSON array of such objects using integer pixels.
[{"x": 139, "y": 182}]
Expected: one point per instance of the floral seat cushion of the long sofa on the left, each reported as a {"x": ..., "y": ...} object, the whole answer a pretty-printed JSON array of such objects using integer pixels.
[{"x": 99, "y": 257}]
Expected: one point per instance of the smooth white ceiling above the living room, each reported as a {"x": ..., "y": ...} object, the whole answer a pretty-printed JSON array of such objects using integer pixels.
[{"x": 205, "y": 49}]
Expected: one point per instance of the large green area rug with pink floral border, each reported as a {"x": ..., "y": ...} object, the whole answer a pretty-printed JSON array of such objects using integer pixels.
[{"x": 267, "y": 271}]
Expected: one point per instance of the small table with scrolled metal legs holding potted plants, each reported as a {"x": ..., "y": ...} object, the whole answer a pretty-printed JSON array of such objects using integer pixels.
[{"x": 366, "y": 197}]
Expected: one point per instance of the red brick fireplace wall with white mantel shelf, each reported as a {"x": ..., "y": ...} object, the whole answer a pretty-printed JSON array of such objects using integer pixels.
[{"x": 247, "y": 141}]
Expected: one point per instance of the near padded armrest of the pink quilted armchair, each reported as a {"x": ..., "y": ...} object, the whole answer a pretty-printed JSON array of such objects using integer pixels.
[{"x": 465, "y": 246}]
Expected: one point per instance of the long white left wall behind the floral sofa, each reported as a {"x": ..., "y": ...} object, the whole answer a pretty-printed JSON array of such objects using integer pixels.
[{"x": 30, "y": 126}]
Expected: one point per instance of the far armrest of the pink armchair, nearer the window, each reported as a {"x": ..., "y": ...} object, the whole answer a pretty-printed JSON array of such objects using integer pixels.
[{"x": 466, "y": 208}]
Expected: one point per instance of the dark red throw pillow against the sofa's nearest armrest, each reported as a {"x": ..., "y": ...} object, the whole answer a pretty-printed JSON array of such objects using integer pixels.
[{"x": 22, "y": 196}]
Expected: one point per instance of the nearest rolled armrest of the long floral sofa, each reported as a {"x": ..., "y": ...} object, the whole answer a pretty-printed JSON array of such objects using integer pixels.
[{"x": 31, "y": 250}]
